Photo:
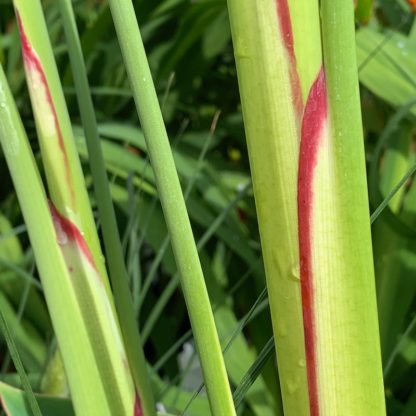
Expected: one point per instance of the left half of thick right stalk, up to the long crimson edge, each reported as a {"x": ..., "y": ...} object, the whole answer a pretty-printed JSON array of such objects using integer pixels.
[{"x": 278, "y": 56}]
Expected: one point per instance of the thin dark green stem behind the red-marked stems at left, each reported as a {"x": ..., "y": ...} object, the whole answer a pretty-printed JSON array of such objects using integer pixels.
[{"x": 113, "y": 249}]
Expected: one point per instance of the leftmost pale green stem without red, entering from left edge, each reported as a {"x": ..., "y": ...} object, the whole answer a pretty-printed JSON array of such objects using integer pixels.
[{"x": 83, "y": 375}]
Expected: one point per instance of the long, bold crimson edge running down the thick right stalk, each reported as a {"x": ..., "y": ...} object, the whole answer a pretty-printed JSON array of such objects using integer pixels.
[{"x": 313, "y": 122}]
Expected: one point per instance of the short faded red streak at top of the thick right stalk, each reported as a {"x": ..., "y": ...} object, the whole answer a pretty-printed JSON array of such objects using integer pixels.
[{"x": 283, "y": 14}]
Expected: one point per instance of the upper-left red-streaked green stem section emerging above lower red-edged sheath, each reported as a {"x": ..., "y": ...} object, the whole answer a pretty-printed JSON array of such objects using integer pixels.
[{"x": 63, "y": 170}]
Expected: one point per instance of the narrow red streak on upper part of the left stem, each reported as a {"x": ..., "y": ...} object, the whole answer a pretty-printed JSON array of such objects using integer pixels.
[{"x": 32, "y": 63}]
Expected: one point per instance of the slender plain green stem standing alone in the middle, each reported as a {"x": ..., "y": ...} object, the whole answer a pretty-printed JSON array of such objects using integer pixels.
[{"x": 174, "y": 208}]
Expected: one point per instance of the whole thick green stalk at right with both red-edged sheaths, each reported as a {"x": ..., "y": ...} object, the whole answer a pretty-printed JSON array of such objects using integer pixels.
[{"x": 307, "y": 161}]
